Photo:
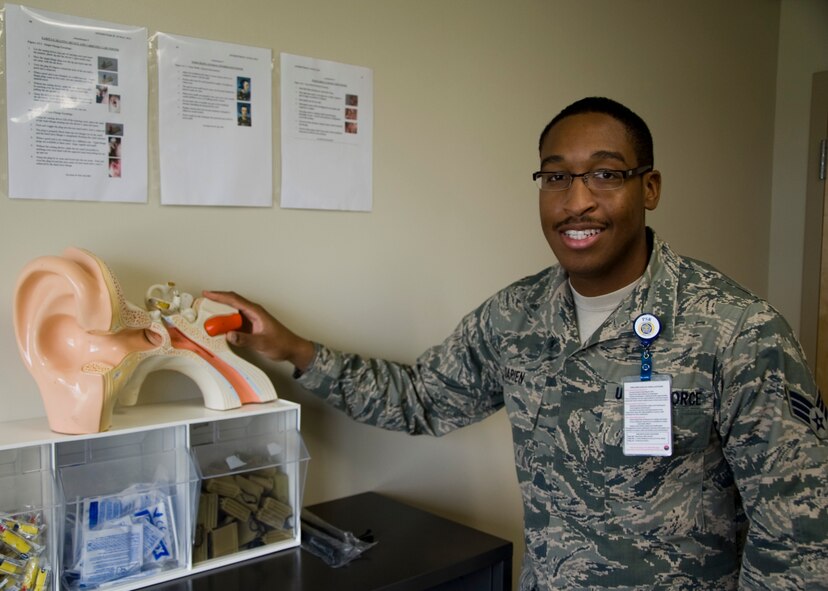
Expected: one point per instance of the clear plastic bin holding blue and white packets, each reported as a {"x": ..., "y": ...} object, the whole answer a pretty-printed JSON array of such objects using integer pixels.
[{"x": 129, "y": 502}]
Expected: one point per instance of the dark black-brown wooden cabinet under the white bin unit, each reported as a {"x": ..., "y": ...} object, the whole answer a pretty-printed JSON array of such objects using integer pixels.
[{"x": 415, "y": 551}]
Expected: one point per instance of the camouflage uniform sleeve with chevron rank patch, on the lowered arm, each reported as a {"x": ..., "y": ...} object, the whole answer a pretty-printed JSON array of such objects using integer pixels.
[{"x": 773, "y": 429}]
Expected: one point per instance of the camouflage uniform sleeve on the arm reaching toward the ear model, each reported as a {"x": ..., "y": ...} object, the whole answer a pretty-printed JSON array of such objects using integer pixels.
[{"x": 451, "y": 385}]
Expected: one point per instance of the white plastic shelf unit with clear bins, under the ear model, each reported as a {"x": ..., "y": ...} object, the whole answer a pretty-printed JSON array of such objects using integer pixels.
[{"x": 172, "y": 489}]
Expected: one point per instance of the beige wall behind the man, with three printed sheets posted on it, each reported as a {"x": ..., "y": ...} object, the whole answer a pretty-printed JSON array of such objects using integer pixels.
[{"x": 462, "y": 90}]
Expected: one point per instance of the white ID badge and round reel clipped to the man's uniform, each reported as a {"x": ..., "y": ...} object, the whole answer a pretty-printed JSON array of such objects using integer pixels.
[{"x": 648, "y": 410}]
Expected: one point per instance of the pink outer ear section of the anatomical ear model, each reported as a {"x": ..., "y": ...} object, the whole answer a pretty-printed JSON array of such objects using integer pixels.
[{"x": 73, "y": 328}]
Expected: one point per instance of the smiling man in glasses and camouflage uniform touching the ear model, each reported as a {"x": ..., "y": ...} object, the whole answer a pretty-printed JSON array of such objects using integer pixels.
[{"x": 740, "y": 502}]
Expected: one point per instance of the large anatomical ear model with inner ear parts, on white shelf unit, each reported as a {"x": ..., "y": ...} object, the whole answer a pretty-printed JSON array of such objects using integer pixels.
[{"x": 88, "y": 347}]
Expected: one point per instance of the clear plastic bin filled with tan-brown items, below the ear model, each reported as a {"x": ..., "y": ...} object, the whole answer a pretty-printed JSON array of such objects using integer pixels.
[{"x": 252, "y": 472}]
